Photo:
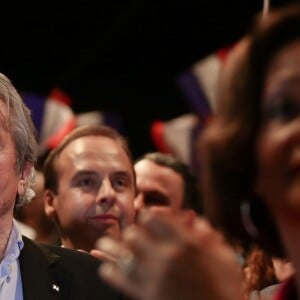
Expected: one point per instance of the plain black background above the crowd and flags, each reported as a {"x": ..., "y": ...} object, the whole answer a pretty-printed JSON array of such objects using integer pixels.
[{"x": 118, "y": 56}]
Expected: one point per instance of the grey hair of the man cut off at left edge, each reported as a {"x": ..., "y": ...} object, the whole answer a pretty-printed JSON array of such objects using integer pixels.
[{"x": 21, "y": 128}]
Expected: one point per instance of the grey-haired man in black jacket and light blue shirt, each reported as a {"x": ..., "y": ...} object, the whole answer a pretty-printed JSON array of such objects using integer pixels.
[{"x": 29, "y": 271}]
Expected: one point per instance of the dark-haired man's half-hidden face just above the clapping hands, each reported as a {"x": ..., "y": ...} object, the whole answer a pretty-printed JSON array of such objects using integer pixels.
[{"x": 163, "y": 181}]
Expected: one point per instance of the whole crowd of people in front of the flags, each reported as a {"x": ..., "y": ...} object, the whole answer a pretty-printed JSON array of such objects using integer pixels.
[{"x": 108, "y": 227}]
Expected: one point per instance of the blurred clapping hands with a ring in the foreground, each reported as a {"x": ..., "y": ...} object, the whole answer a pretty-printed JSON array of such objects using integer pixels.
[{"x": 171, "y": 257}]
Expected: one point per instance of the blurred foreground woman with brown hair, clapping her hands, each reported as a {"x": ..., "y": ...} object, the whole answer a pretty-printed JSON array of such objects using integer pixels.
[{"x": 250, "y": 158}]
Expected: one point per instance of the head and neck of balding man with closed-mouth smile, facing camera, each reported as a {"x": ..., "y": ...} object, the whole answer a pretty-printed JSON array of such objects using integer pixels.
[{"x": 89, "y": 186}]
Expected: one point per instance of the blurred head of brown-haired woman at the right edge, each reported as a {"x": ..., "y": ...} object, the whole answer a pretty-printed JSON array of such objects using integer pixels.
[{"x": 249, "y": 151}]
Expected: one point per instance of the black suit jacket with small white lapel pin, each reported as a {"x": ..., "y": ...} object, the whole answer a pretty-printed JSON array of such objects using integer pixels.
[{"x": 52, "y": 273}]
